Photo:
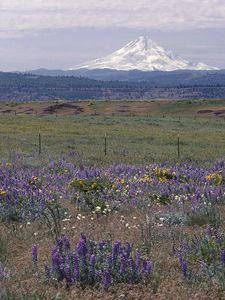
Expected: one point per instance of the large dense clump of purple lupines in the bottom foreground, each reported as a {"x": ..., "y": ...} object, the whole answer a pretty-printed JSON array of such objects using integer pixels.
[{"x": 94, "y": 263}]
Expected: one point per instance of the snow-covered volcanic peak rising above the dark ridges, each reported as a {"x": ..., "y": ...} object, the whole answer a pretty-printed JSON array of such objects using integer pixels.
[{"x": 145, "y": 55}]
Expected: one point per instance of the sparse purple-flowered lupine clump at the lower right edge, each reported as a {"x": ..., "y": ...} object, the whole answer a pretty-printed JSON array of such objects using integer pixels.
[{"x": 202, "y": 258}]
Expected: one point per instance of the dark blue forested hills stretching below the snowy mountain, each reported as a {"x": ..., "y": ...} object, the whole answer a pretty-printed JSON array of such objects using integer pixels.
[{"x": 158, "y": 85}]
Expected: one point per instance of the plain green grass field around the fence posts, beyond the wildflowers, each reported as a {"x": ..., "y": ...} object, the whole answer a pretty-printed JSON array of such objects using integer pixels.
[{"x": 133, "y": 136}]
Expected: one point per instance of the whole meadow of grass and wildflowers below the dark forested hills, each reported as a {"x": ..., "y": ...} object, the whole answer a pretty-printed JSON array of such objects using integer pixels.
[{"x": 137, "y": 223}]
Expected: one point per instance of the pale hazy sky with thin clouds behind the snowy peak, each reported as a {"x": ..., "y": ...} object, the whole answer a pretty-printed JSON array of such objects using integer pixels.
[{"x": 63, "y": 33}]
